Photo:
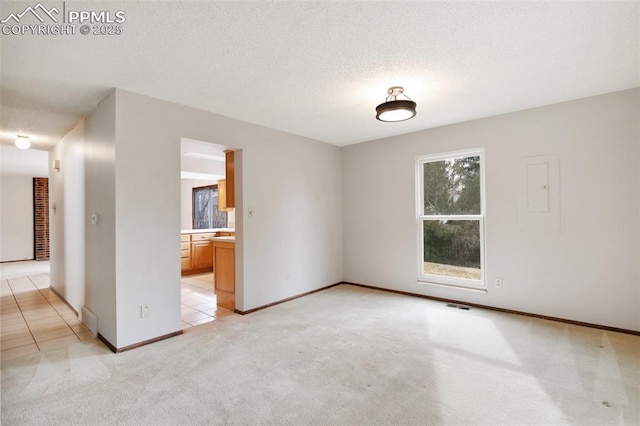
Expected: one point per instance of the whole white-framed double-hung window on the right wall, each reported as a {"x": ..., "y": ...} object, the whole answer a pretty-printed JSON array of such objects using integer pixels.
[{"x": 451, "y": 218}]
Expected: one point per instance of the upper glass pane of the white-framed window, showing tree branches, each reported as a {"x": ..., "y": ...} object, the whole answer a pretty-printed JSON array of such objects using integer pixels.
[{"x": 452, "y": 187}]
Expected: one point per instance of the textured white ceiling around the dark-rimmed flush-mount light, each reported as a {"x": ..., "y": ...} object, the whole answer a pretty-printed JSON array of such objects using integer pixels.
[{"x": 318, "y": 68}]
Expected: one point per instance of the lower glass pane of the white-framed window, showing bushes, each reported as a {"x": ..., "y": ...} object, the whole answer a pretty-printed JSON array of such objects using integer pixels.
[{"x": 452, "y": 248}]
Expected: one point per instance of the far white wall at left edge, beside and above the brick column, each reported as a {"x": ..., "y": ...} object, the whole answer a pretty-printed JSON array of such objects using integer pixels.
[{"x": 18, "y": 168}]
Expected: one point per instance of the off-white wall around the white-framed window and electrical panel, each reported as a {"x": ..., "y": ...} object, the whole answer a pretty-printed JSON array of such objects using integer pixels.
[{"x": 586, "y": 272}]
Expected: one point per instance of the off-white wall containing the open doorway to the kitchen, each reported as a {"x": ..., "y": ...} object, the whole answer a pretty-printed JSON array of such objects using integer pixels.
[{"x": 293, "y": 183}]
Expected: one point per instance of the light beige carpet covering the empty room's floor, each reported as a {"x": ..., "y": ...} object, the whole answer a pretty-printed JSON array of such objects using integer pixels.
[{"x": 346, "y": 355}]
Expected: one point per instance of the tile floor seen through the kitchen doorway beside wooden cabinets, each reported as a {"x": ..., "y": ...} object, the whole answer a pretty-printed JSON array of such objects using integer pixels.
[{"x": 199, "y": 301}]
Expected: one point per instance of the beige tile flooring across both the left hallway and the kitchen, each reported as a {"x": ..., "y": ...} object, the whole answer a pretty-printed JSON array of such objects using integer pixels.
[{"x": 33, "y": 318}]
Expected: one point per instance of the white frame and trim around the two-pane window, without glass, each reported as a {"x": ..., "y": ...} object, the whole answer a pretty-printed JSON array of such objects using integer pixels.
[{"x": 439, "y": 280}]
